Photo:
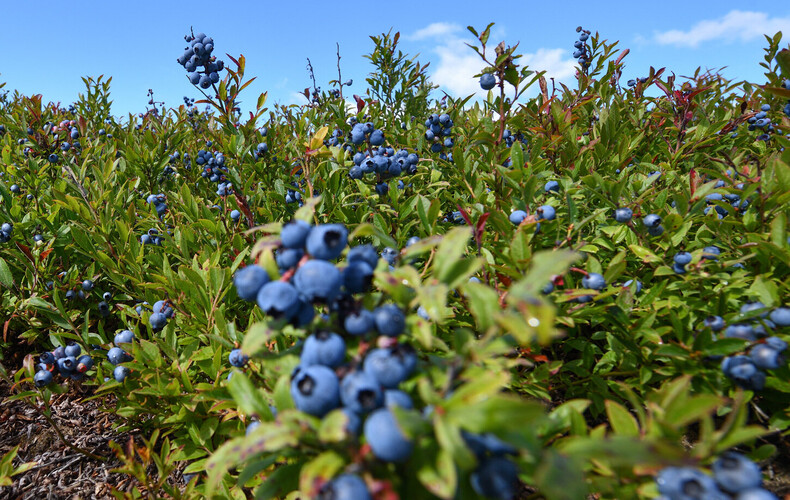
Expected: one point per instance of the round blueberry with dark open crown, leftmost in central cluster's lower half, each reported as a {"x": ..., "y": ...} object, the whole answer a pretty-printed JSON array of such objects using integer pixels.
[{"x": 315, "y": 390}]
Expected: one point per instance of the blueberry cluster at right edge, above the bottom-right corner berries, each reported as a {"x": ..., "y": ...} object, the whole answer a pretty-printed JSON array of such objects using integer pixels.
[{"x": 766, "y": 352}]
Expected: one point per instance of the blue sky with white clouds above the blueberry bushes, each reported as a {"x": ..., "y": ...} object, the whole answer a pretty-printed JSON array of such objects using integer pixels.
[{"x": 48, "y": 48}]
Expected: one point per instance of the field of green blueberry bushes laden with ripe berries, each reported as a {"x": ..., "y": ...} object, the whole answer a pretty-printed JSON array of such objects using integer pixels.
[{"x": 581, "y": 294}]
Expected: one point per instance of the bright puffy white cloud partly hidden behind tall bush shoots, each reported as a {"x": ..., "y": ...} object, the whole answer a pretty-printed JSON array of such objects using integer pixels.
[{"x": 457, "y": 63}]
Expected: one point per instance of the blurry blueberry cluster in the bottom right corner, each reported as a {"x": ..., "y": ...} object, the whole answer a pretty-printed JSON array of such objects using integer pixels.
[{"x": 734, "y": 477}]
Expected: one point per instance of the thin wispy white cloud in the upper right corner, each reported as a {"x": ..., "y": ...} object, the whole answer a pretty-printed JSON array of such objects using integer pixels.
[{"x": 735, "y": 25}]
